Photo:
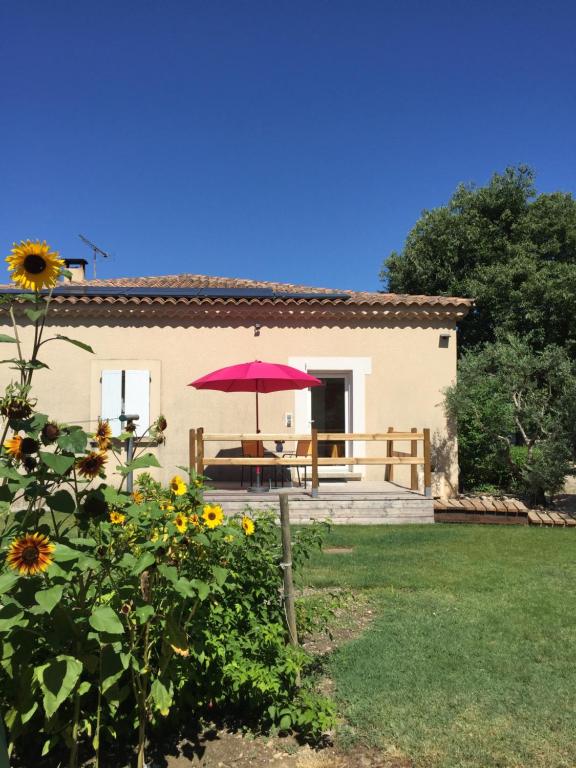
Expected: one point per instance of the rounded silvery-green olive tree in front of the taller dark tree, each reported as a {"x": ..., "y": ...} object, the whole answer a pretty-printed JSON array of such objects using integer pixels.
[{"x": 515, "y": 411}]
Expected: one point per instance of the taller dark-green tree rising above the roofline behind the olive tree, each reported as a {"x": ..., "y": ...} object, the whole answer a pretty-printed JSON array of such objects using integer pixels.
[{"x": 511, "y": 250}]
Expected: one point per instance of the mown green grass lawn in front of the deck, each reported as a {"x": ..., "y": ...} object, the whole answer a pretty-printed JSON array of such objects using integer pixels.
[{"x": 471, "y": 659}]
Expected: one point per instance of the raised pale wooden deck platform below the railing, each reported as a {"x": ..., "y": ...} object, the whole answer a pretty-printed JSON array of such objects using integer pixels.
[{"x": 340, "y": 502}]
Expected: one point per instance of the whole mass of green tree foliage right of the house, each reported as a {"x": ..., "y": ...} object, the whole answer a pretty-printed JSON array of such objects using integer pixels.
[{"x": 514, "y": 252}]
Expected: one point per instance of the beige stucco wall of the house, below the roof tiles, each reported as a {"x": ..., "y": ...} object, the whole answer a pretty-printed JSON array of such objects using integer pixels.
[{"x": 409, "y": 370}]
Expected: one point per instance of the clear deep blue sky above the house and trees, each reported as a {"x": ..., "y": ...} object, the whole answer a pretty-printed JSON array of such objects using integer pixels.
[{"x": 294, "y": 141}]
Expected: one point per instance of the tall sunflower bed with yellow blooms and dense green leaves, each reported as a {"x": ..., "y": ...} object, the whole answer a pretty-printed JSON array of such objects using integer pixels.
[{"x": 124, "y": 614}]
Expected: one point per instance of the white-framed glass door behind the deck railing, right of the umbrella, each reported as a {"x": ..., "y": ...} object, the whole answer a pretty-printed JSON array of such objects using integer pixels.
[{"x": 330, "y": 411}]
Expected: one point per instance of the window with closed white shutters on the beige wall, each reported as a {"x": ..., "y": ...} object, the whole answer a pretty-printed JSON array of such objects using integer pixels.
[{"x": 125, "y": 391}]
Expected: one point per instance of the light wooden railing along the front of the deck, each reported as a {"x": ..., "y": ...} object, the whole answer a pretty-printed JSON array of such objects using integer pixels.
[{"x": 198, "y": 459}]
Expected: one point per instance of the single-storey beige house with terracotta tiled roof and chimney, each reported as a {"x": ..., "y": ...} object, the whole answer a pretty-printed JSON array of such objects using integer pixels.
[{"x": 385, "y": 359}]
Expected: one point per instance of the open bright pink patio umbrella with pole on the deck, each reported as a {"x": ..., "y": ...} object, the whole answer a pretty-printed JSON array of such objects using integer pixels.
[{"x": 257, "y": 377}]
